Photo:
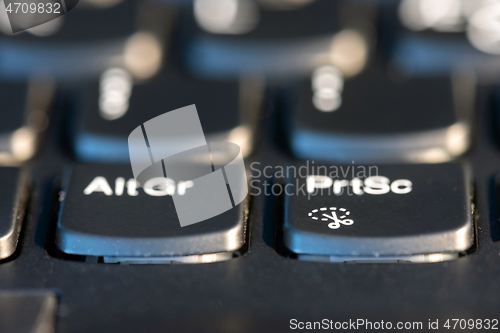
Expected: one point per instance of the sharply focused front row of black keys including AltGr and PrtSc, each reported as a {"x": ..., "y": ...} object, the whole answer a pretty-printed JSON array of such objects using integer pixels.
[{"x": 409, "y": 213}]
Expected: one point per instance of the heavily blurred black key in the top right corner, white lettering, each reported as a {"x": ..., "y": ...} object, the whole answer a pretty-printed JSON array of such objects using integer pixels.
[{"x": 430, "y": 38}]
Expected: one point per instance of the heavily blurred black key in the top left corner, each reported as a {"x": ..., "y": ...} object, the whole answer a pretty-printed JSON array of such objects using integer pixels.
[{"x": 87, "y": 40}]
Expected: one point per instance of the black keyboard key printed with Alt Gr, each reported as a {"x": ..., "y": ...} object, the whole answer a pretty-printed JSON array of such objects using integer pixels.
[{"x": 105, "y": 214}]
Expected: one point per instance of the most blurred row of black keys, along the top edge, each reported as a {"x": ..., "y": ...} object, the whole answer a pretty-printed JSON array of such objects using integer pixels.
[{"x": 230, "y": 38}]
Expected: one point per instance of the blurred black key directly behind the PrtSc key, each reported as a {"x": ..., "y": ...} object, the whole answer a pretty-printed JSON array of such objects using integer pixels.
[{"x": 374, "y": 117}]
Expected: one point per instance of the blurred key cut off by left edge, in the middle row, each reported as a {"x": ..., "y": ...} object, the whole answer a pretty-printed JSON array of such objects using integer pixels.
[{"x": 23, "y": 118}]
